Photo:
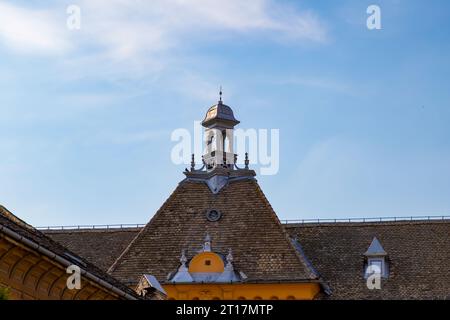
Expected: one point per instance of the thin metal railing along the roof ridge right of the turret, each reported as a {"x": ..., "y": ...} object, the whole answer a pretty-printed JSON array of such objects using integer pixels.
[{"x": 370, "y": 219}]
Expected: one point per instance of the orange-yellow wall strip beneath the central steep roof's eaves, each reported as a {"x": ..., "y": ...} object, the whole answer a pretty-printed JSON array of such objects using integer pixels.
[{"x": 248, "y": 291}]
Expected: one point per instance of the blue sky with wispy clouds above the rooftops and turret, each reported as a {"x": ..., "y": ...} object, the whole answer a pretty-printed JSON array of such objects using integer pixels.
[{"x": 86, "y": 115}]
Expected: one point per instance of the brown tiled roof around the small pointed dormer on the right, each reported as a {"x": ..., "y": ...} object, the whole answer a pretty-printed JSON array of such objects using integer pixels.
[{"x": 418, "y": 254}]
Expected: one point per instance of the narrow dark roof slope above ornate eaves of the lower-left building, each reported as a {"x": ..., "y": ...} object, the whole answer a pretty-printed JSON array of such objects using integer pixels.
[{"x": 13, "y": 223}]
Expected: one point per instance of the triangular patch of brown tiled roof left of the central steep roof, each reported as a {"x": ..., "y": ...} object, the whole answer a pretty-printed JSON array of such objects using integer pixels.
[{"x": 99, "y": 246}]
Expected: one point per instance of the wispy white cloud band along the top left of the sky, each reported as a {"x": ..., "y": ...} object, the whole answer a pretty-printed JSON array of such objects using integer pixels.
[{"x": 123, "y": 30}]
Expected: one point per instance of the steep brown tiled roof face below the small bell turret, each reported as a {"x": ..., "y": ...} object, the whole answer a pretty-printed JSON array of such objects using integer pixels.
[{"x": 261, "y": 247}]
